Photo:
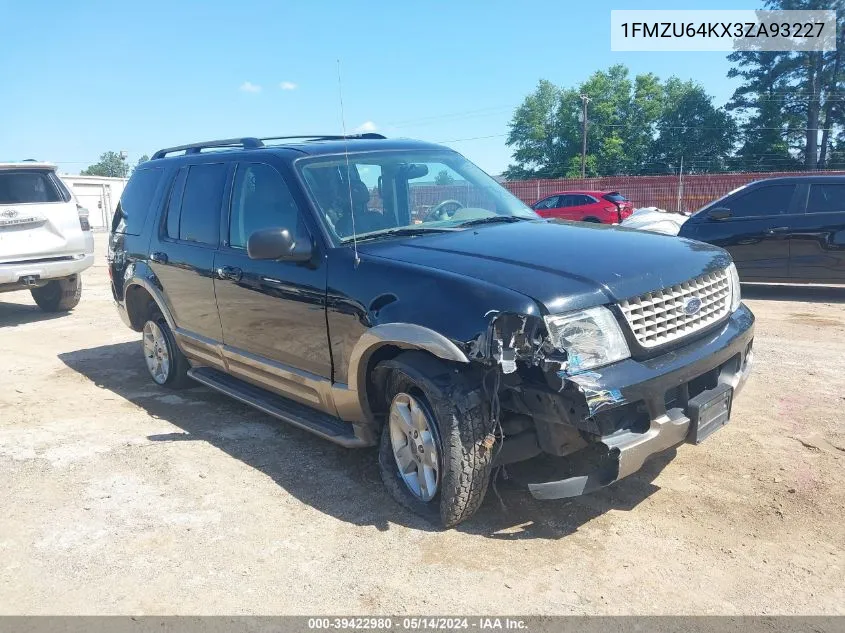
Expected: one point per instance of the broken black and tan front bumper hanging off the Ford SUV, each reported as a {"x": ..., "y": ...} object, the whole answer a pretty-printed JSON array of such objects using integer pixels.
[{"x": 635, "y": 409}]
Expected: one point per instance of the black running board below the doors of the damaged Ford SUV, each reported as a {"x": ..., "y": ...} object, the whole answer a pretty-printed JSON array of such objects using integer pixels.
[{"x": 302, "y": 416}]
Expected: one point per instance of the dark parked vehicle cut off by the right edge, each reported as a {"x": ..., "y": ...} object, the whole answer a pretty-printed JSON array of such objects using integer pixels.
[{"x": 780, "y": 229}]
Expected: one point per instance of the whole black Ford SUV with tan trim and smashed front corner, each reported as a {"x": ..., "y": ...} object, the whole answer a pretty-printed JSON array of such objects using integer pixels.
[{"x": 389, "y": 293}]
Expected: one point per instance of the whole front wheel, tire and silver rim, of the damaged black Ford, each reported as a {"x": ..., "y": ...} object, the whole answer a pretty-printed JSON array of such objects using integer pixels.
[{"x": 432, "y": 457}]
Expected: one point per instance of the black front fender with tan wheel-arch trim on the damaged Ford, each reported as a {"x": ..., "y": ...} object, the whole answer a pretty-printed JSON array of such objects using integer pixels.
[{"x": 381, "y": 302}]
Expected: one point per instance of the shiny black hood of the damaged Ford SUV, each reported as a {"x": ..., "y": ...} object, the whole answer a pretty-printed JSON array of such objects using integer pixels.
[{"x": 563, "y": 265}]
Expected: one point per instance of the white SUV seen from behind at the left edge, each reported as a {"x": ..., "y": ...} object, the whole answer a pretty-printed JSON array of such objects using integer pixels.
[{"x": 45, "y": 238}]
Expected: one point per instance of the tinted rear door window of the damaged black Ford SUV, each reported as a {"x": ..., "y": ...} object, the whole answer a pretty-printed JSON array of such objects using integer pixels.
[{"x": 199, "y": 219}]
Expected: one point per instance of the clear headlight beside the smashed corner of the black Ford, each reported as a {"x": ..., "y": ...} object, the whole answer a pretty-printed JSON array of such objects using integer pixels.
[{"x": 591, "y": 338}]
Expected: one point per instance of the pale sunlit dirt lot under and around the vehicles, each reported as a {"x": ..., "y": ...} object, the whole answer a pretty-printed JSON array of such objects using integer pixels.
[{"x": 120, "y": 497}]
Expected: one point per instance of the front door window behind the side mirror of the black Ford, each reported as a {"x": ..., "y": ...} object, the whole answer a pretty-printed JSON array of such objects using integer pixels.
[{"x": 260, "y": 199}]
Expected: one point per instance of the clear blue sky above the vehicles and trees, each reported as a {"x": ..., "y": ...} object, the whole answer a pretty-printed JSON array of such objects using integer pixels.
[{"x": 80, "y": 78}]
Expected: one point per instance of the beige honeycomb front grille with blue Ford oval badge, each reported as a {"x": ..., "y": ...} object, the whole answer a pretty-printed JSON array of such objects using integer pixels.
[{"x": 660, "y": 317}]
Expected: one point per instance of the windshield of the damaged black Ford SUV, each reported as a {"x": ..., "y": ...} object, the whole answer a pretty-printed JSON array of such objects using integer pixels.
[{"x": 385, "y": 193}]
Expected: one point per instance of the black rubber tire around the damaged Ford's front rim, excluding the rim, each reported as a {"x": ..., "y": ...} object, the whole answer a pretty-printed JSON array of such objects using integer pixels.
[{"x": 458, "y": 431}]
